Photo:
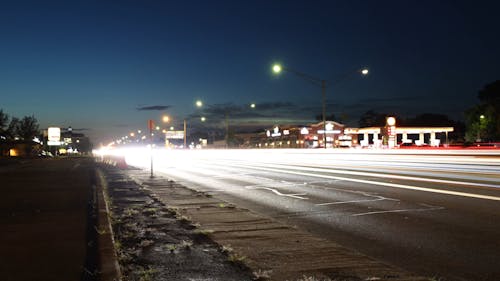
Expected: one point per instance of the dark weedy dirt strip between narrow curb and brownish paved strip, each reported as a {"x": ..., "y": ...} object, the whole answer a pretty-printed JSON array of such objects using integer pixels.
[{"x": 156, "y": 243}]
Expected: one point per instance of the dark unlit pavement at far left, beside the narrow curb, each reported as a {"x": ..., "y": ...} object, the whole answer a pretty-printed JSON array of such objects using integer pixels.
[{"x": 43, "y": 218}]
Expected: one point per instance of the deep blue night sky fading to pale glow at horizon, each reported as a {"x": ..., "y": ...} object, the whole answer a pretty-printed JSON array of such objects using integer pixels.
[{"x": 106, "y": 67}]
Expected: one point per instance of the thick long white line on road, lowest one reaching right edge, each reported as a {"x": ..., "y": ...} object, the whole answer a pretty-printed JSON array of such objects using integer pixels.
[{"x": 401, "y": 186}]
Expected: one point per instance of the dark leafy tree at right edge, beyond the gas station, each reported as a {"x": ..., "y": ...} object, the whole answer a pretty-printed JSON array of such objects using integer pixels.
[{"x": 483, "y": 120}]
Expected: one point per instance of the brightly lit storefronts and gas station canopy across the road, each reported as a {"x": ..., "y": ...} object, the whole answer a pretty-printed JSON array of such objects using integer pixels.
[{"x": 337, "y": 135}]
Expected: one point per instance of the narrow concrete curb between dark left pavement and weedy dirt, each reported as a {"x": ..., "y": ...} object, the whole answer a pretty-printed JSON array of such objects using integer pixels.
[{"x": 109, "y": 269}]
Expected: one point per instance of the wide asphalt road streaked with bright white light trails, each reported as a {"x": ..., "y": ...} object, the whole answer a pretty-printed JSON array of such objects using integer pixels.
[{"x": 434, "y": 213}]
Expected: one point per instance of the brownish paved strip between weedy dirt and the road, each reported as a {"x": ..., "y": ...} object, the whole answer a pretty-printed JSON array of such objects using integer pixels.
[{"x": 272, "y": 250}]
